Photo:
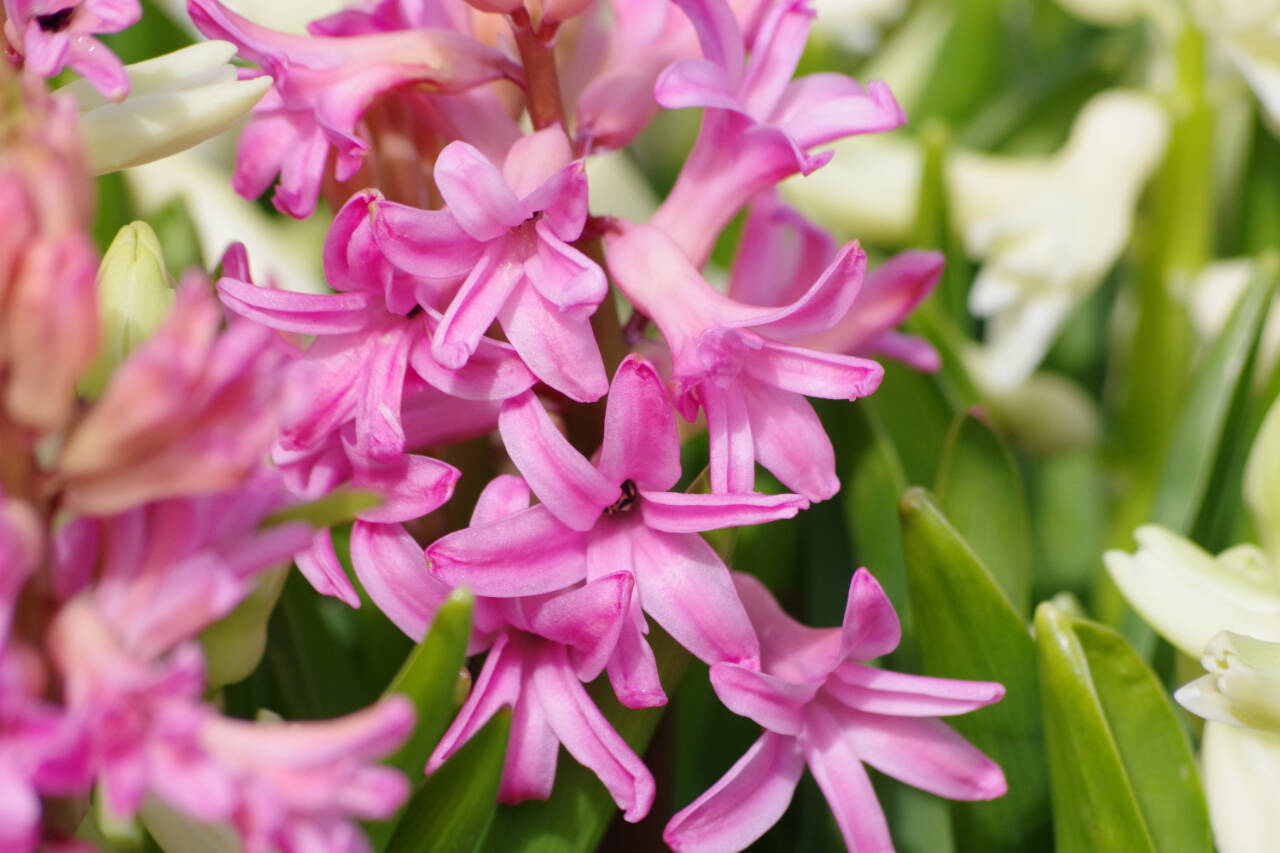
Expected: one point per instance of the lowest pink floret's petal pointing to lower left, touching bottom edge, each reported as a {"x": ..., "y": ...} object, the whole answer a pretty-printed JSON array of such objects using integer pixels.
[{"x": 744, "y": 804}]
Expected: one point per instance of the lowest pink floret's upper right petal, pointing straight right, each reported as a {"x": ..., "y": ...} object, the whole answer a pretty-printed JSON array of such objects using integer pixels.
[{"x": 866, "y": 688}]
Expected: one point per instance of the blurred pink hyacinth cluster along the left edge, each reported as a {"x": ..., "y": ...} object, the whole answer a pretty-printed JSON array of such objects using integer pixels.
[{"x": 131, "y": 524}]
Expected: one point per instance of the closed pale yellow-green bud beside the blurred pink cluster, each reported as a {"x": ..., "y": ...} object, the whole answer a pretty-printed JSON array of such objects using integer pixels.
[{"x": 135, "y": 295}]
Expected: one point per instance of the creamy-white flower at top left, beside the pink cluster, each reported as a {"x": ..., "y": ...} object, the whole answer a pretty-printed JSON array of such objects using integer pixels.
[{"x": 175, "y": 102}]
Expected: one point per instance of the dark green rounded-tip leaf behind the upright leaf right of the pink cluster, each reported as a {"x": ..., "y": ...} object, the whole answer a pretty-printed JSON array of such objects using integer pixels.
[{"x": 981, "y": 494}]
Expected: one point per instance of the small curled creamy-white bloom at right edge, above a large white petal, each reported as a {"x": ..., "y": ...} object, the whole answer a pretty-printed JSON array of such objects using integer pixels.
[{"x": 1244, "y": 683}]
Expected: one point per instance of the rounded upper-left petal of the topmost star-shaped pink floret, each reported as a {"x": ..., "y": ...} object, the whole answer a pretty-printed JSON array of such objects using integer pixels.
[{"x": 477, "y": 194}]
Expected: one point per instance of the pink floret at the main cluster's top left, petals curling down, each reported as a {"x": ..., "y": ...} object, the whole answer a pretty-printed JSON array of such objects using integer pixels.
[{"x": 323, "y": 86}]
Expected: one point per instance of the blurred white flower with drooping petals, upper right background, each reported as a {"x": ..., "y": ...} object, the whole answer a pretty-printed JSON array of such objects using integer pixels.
[{"x": 1049, "y": 247}]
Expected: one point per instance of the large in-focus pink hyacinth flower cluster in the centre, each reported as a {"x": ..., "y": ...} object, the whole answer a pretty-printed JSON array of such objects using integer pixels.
[{"x": 476, "y": 291}]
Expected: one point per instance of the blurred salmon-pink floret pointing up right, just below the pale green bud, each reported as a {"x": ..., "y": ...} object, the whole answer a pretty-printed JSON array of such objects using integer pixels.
[{"x": 191, "y": 412}]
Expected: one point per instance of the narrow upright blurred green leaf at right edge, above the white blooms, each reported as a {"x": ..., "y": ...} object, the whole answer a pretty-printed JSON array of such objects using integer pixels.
[{"x": 1224, "y": 372}]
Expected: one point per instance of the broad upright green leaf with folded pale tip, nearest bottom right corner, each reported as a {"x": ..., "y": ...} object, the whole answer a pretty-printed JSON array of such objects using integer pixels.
[{"x": 1122, "y": 770}]
